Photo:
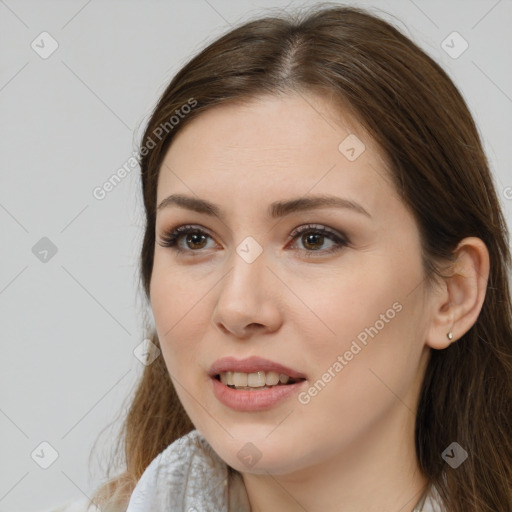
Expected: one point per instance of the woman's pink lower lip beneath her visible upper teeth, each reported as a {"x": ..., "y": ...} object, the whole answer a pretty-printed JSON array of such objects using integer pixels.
[{"x": 248, "y": 401}]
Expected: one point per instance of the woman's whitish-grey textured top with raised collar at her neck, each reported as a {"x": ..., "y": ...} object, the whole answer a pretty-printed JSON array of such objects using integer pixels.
[{"x": 188, "y": 476}]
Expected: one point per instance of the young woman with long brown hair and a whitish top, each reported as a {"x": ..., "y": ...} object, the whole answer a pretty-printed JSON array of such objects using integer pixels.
[{"x": 326, "y": 261}]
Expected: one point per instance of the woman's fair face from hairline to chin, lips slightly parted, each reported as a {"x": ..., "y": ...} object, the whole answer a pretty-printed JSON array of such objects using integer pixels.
[{"x": 344, "y": 309}]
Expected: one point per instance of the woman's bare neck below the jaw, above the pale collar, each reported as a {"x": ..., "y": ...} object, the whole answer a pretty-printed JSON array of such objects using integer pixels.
[{"x": 378, "y": 473}]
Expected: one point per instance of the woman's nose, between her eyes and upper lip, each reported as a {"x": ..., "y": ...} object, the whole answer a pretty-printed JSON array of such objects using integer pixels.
[{"x": 248, "y": 299}]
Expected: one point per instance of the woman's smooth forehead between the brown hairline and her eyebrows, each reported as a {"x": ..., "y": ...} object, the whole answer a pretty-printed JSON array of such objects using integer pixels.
[{"x": 297, "y": 143}]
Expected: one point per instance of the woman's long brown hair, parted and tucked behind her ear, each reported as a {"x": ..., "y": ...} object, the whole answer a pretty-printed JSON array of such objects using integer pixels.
[{"x": 419, "y": 119}]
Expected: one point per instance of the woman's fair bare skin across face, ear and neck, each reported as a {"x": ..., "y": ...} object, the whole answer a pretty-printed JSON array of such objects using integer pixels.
[{"x": 351, "y": 447}]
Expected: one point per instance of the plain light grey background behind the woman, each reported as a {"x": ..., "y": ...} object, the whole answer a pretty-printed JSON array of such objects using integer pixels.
[{"x": 70, "y": 324}]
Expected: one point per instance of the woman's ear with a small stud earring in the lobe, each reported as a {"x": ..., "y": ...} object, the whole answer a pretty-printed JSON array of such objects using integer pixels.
[{"x": 458, "y": 300}]
